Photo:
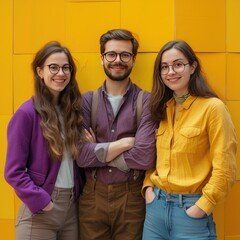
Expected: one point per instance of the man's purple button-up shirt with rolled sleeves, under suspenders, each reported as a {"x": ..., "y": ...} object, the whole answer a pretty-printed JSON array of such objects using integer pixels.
[{"x": 109, "y": 128}]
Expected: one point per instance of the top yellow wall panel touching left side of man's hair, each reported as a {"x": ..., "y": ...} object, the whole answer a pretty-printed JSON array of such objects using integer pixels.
[{"x": 87, "y": 21}]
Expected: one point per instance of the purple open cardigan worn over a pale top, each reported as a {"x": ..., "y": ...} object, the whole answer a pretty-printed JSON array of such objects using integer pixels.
[{"x": 29, "y": 169}]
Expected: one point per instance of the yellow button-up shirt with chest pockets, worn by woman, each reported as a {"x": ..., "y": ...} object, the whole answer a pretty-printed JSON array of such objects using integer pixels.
[{"x": 196, "y": 153}]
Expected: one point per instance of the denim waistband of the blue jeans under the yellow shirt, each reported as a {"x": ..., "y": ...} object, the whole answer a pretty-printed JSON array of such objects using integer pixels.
[{"x": 178, "y": 198}]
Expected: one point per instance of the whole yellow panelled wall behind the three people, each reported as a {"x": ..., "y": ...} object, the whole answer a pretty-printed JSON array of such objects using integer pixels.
[{"x": 211, "y": 28}]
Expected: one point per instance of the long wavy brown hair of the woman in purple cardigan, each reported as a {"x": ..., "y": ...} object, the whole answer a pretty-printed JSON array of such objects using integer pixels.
[{"x": 69, "y": 104}]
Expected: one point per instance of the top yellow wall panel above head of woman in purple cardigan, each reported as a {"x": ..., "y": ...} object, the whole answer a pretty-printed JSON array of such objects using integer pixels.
[{"x": 37, "y": 22}]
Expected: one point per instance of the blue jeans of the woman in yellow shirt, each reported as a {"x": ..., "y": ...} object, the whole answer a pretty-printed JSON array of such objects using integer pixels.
[{"x": 166, "y": 219}]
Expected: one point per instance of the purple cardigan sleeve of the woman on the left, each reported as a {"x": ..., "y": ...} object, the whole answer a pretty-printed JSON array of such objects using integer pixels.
[{"x": 18, "y": 174}]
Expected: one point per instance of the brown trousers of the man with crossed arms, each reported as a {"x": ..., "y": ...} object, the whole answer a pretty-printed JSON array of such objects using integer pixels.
[{"x": 111, "y": 212}]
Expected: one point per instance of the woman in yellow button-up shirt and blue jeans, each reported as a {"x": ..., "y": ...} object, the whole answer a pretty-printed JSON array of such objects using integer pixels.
[{"x": 196, "y": 149}]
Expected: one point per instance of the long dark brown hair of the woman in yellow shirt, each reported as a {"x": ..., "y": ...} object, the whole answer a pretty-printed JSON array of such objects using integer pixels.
[{"x": 160, "y": 93}]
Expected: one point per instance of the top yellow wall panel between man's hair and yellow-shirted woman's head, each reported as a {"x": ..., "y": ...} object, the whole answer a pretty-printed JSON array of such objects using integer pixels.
[{"x": 152, "y": 22}]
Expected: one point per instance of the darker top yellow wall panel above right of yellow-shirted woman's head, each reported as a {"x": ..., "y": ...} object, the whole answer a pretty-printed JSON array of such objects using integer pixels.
[{"x": 202, "y": 24}]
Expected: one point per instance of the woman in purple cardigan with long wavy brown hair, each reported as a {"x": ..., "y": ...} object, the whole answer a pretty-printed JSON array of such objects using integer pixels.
[{"x": 43, "y": 141}]
